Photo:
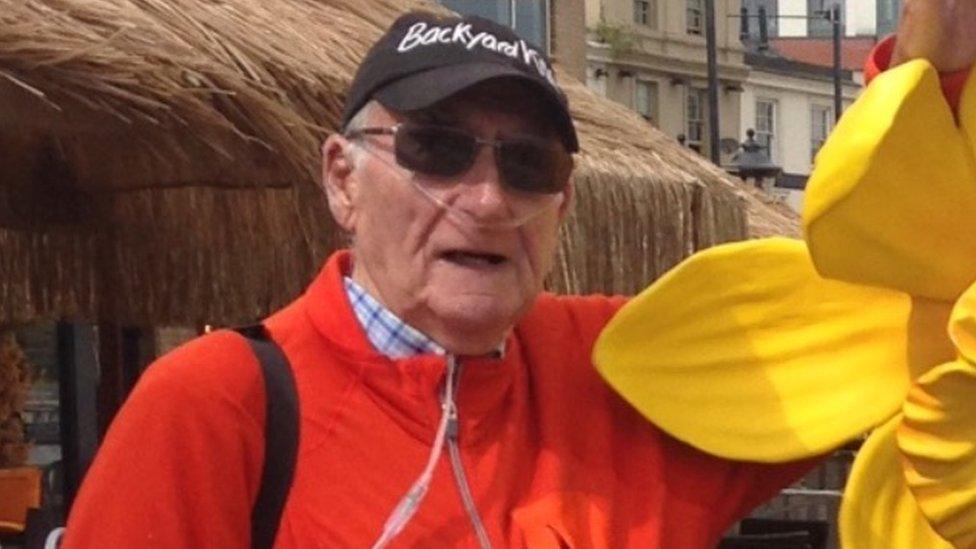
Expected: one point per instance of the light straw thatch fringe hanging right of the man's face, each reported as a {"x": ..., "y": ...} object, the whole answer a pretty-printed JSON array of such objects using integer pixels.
[{"x": 625, "y": 230}]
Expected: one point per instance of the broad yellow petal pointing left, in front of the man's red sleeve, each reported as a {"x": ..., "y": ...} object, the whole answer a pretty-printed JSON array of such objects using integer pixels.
[{"x": 745, "y": 352}]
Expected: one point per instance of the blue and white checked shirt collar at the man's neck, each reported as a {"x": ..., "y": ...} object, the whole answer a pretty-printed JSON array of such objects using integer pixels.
[{"x": 389, "y": 335}]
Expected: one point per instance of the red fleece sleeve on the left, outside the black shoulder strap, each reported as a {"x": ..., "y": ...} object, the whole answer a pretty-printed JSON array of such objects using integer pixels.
[{"x": 180, "y": 465}]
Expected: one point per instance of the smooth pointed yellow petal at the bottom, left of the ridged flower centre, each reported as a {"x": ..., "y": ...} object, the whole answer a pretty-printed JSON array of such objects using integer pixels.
[{"x": 878, "y": 511}]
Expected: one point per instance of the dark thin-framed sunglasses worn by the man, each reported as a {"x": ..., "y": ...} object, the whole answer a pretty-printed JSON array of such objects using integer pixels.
[{"x": 525, "y": 163}]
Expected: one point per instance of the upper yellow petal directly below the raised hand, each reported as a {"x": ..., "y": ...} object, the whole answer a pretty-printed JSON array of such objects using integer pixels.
[{"x": 892, "y": 197}]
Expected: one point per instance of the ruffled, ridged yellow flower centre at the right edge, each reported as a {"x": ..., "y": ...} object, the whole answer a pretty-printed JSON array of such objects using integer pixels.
[{"x": 938, "y": 435}]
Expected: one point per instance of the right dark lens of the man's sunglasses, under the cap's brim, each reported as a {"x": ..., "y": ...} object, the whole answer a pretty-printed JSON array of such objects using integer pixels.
[{"x": 532, "y": 166}]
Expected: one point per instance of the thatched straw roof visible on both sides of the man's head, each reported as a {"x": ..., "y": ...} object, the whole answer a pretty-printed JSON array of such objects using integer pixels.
[{"x": 158, "y": 161}]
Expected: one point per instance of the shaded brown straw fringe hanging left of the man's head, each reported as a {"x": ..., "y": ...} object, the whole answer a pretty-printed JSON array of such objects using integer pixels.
[{"x": 147, "y": 263}]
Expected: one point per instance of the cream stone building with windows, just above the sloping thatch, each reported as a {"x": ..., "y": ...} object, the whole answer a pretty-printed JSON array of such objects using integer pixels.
[{"x": 650, "y": 56}]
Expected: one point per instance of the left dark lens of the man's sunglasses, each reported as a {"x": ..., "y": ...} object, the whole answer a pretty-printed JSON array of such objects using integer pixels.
[{"x": 433, "y": 150}]
